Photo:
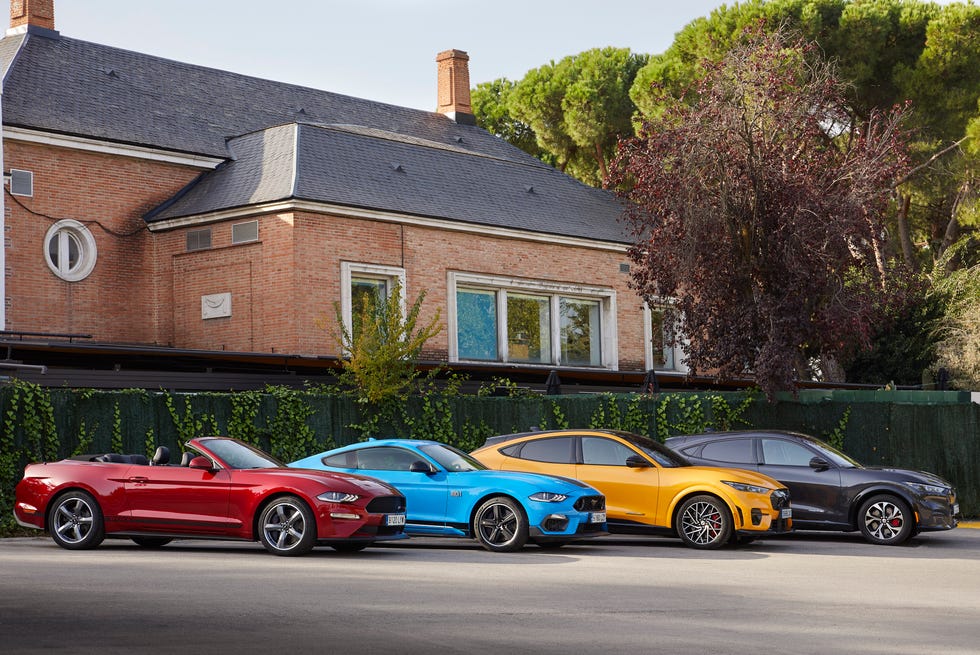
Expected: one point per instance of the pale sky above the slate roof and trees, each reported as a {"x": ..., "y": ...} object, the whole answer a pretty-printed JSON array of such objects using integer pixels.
[{"x": 382, "y": 50}]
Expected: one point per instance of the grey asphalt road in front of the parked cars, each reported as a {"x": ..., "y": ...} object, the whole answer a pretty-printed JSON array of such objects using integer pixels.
[{"x": 806, "y": 593}]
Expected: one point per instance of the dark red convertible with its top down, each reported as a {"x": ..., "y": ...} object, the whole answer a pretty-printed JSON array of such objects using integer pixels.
[{"x": 221, "y": 489}]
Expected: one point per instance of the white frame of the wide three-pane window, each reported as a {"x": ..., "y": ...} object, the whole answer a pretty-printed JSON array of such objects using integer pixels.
[{"x": 608, "y": 329}]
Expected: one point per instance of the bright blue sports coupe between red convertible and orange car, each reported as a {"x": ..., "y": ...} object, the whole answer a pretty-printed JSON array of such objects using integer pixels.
[{"x": 450, "y": 494}]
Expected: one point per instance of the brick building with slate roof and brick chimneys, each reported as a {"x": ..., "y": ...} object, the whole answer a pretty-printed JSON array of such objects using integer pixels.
[{"x": 167, "y": 207}]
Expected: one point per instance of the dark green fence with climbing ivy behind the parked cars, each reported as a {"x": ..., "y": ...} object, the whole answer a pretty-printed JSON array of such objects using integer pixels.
[{"x": 934, "y": 431}]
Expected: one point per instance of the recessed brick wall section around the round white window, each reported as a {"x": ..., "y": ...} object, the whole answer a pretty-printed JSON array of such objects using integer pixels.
[{"x": 107, "y": 193}]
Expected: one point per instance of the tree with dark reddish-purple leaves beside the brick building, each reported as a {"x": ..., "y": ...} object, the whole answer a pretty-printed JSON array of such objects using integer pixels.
[{"x": 756, "y": 208}]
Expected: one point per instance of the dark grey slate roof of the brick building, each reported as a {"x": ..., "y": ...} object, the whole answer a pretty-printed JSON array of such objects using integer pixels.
[{"x": 286, "y": 141}]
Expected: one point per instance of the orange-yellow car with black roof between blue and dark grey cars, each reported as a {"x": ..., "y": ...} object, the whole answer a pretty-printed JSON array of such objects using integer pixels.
[{"x": 648, "y": 487}]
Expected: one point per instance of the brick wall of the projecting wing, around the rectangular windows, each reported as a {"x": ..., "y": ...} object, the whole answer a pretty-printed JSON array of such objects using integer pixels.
[{"x": 290, "y": 279}]
